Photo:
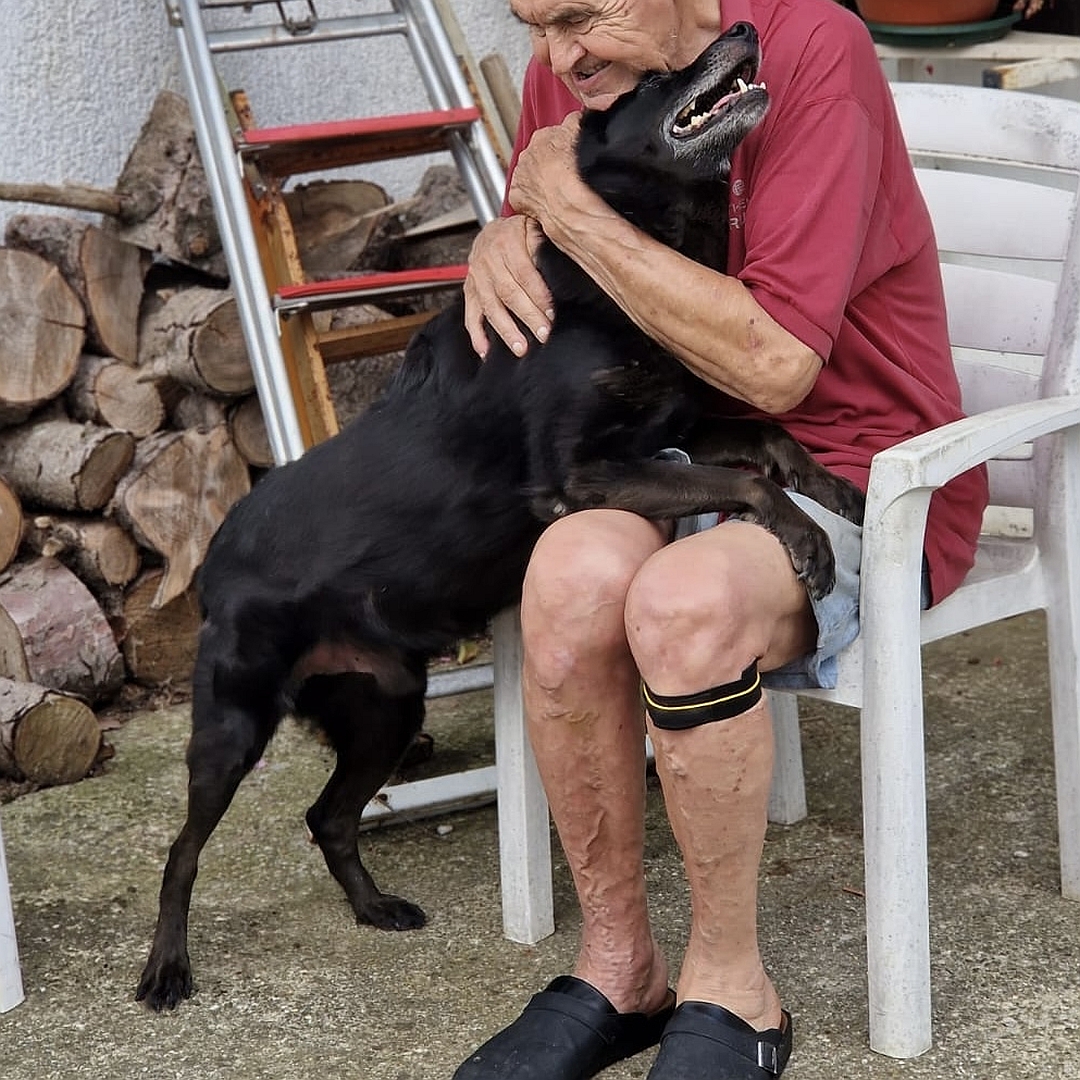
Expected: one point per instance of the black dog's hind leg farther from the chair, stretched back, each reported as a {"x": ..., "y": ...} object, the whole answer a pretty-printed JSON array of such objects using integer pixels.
[{"x": 227, "y": 740}]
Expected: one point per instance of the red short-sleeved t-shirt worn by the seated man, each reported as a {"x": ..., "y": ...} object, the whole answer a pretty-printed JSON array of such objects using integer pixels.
[{"x": 830, "y": 233}]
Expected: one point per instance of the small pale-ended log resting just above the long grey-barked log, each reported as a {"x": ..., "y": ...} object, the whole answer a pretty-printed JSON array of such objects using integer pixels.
[{"x": 114, "y": 395}]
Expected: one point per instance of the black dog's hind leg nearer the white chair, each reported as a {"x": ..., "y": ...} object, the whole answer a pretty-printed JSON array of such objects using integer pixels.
[{"x": 371, "y": 732}]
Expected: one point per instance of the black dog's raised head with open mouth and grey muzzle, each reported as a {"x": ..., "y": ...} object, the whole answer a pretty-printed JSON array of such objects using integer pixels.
[{"x": 674, "y": 131}]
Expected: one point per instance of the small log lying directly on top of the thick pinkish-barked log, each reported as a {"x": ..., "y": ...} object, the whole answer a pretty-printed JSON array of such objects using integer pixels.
[{"x": 99, "y": 551}]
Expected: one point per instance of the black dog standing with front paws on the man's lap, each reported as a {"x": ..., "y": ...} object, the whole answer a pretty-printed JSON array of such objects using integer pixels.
[{"x": 330, "y": 587}]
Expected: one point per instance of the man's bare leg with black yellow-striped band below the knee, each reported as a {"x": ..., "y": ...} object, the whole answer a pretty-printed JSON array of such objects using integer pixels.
[{"x": 699, "y": 614}]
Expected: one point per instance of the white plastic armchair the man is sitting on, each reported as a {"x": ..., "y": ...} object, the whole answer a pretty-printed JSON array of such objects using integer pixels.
[{"x": 1011, "y": 263}]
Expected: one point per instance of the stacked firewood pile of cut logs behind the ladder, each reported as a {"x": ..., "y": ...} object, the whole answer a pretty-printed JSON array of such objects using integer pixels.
[{"x": 128, "y": 428}]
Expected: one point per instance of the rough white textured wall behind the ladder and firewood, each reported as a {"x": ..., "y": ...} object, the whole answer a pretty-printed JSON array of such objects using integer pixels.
[{"x": 78, "y": 79}]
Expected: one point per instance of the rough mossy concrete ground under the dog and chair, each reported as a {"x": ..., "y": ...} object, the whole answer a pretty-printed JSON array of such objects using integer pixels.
[{"x": 289, "y": 988}]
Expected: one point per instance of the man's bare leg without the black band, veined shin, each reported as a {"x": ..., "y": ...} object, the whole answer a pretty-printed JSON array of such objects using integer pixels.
[{"x": 583, "y": 696}]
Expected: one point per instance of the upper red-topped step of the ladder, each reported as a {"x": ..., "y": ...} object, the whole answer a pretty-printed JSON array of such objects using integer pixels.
[{"x": 309, "y": 148}]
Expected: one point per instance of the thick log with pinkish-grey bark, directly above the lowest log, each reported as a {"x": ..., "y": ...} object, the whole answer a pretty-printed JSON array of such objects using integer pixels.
[{"x": 53, "y": 632}]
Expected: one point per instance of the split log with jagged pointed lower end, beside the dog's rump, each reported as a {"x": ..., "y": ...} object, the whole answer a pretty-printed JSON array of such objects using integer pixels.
[{"x": 177, "y": 495}]
